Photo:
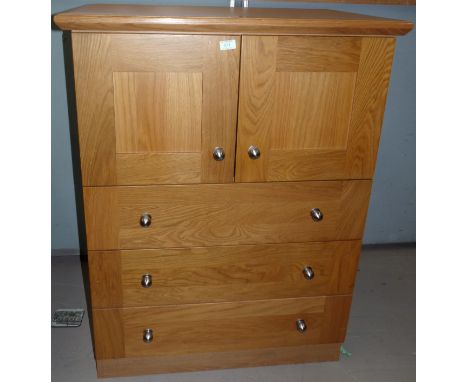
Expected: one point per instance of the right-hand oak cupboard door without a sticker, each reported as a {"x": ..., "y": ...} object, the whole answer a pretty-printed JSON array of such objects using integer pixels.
[{"x": 312, "y": 106}]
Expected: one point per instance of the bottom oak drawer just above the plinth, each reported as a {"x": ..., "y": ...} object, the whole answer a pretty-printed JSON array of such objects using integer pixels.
[{"x": 182, "y": 329}]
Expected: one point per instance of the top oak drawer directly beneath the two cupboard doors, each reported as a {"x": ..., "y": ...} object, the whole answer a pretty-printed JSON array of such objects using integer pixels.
[{"x": 224, "y": 214}]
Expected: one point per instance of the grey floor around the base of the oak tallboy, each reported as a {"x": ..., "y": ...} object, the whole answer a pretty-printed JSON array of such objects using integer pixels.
[{"x": 381, "y": 333}]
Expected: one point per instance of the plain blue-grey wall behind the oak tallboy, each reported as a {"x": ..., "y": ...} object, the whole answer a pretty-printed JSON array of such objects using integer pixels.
[{"x": 392, "y": 212}]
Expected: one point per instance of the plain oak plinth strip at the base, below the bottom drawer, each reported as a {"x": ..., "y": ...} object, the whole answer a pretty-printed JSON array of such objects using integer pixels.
[{"x": 220, "y": 360}]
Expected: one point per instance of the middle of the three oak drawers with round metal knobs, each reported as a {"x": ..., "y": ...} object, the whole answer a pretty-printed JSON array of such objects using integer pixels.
[{"x": 217, "y": 274}]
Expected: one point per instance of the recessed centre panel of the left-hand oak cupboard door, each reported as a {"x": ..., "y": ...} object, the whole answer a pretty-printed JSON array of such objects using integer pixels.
[{"x": 158, "y": 112}]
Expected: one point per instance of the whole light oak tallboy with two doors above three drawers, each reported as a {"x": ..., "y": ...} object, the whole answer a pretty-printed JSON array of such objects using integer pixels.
[{"x": 227, "y": 158}]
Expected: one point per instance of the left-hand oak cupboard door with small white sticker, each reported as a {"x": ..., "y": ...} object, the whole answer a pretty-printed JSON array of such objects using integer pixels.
[{"x": 152, "y": 108}]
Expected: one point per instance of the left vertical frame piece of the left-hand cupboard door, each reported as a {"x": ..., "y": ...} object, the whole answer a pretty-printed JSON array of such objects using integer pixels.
[{"x": 95, "y": 106}]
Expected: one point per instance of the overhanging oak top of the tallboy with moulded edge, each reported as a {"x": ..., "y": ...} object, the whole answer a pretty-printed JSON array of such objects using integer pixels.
[{"x": 215, "y": 20}]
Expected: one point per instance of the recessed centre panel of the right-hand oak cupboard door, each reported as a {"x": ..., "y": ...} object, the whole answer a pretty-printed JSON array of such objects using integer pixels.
[{"x": 311, "y": 111}]
